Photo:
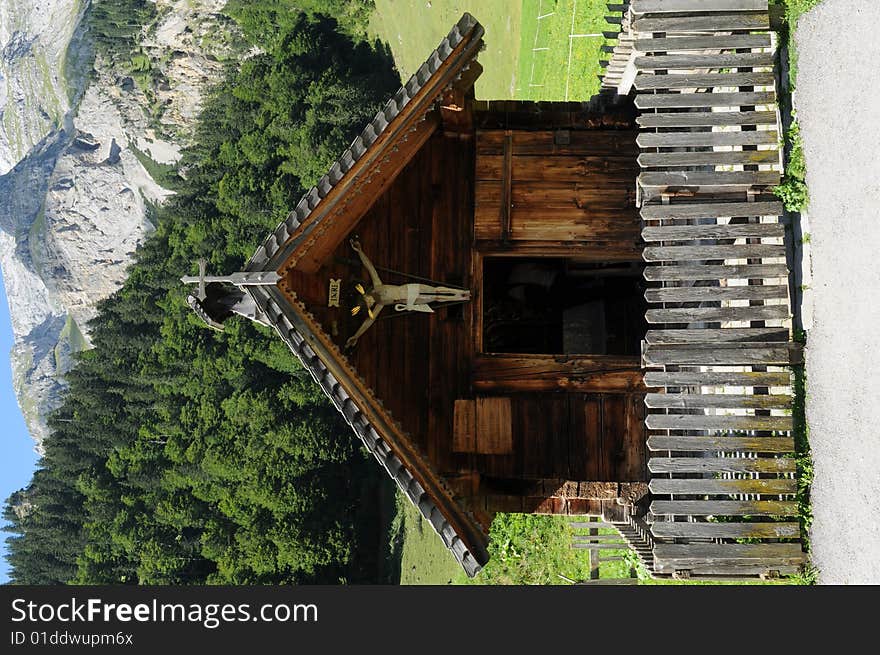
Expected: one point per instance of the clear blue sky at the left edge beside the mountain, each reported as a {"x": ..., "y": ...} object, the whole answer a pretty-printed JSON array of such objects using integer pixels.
[{"x": 17, "y": 456}]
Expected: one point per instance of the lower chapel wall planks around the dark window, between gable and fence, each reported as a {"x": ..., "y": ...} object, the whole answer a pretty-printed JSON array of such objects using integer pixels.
[{"x": 567, "y": 192}]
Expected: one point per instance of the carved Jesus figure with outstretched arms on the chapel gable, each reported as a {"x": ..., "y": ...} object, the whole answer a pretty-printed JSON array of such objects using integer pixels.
[{"x": 403, "y": 297}]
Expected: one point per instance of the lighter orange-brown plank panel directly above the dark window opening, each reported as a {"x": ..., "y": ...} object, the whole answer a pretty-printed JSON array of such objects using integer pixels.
[{"x": 544, "y": 186}]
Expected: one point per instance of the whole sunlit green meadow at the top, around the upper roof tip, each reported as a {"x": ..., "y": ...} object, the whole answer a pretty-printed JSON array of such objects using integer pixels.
[{"x": 412, "y": 28}]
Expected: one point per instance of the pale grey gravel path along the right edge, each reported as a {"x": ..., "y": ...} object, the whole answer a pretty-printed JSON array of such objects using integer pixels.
[{"x": 838, "y": 106}]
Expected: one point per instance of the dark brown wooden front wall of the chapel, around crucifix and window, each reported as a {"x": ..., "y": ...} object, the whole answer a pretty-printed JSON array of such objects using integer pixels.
[{"x": 419, "y": 365}]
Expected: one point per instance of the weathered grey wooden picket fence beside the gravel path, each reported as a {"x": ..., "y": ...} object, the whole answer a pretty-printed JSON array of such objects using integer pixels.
[{"x": 720, "y": 429}]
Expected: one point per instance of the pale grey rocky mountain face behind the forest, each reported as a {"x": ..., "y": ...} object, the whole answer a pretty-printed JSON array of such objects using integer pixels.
[{"x": 74, "y": 190}]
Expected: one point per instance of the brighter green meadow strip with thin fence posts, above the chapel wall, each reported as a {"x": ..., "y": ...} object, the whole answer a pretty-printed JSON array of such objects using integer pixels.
[{"x": 568, "y": 69}]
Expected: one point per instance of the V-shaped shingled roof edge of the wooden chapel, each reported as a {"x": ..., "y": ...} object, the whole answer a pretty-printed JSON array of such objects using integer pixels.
[{"x": 468, "y": 542}]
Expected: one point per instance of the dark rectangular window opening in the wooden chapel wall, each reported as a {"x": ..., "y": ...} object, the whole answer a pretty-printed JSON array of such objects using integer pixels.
[{"x": 562, "y": 306}]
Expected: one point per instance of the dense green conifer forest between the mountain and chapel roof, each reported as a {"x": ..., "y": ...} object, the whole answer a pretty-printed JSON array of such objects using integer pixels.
[{"x": 186, "y": 456}]
